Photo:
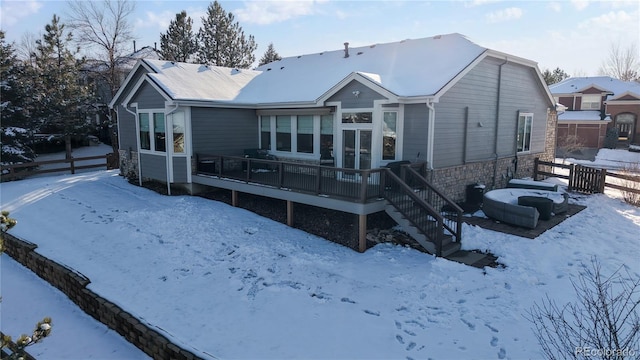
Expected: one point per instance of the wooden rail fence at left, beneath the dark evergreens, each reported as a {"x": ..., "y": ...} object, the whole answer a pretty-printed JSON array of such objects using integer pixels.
[{"x": 18, "y": 171}]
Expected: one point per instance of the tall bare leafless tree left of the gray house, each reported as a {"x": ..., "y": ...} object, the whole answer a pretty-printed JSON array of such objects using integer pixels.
[{"x": 105, "y": 26}]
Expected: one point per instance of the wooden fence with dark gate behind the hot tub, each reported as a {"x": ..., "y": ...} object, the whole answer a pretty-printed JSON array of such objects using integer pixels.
[{"x": 586, "y": 179}]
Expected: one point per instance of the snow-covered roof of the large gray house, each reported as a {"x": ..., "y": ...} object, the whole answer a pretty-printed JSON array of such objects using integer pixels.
[{"x": 408, "y": 68}]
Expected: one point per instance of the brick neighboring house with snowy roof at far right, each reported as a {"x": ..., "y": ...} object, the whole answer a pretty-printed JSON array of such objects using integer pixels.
[{"x": 591, "y": 105}]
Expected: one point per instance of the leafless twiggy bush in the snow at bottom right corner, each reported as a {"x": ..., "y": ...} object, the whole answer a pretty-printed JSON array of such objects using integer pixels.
[{"x": 604, "y": 323}]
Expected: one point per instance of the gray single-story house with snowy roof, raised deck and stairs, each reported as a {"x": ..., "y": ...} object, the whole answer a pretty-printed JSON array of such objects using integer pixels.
[{"x": 347, "y": 130}]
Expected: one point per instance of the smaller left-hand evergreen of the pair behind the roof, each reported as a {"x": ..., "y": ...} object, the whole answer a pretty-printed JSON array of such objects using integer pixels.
[{"x": 178, "y": 43}]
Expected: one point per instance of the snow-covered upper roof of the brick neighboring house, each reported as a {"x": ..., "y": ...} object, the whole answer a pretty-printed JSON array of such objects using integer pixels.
[{"x": 605, "y": 83}]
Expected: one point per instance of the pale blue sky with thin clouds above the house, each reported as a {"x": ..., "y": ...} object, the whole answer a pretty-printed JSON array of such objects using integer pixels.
[{"x": 573, "y": 35}]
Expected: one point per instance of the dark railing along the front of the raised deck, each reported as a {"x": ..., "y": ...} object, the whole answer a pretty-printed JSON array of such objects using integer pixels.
[{"x": 350, "y": 184}]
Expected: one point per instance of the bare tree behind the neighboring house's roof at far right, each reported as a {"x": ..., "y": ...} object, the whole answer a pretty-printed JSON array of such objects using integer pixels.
[{"x": 623, "y": 64}]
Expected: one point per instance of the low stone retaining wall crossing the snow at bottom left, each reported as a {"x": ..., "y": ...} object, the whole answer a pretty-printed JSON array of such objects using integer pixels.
[{"x": 74, "y": 285}]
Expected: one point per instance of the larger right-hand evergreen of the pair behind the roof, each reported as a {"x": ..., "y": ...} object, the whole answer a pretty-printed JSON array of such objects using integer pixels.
[{"x": 222, "y": 41}]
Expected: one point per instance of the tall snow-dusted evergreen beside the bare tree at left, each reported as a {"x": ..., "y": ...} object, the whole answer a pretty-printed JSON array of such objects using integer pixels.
[{"x": 64, "y": 103}]
